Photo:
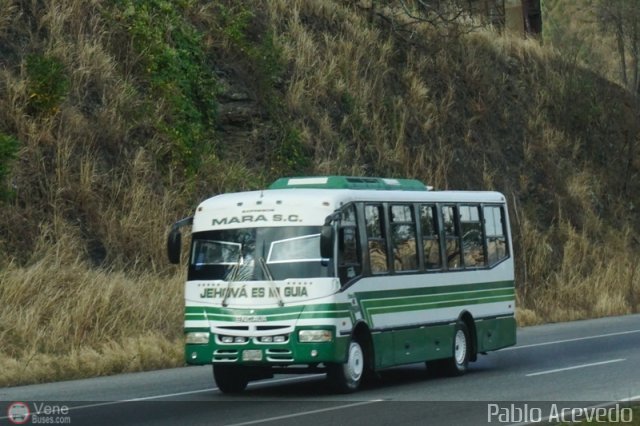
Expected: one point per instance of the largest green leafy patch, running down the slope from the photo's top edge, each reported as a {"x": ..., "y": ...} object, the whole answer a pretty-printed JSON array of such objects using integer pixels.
[{"x": 172, "y": 68}]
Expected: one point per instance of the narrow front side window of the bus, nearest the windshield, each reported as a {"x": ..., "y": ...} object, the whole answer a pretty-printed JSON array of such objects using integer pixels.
[{"x": 349, "y": 265}]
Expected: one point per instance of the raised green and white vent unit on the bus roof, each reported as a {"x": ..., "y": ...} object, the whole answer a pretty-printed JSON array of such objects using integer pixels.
[{"x": 350, "y": 182}]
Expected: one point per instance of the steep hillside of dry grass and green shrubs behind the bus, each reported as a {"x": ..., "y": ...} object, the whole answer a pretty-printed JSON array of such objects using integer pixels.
[{"x": 117, "y": 118}]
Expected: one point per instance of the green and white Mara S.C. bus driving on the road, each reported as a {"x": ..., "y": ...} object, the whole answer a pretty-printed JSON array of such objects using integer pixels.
[{"x": 345, "y": 275}]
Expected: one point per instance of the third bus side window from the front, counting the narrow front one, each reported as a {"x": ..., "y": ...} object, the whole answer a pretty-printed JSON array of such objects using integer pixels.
[{"x": 403, "y": 234}]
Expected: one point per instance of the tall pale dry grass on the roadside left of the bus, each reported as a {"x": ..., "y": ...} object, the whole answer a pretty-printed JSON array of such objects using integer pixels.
[{"x": 64, "y": 319}]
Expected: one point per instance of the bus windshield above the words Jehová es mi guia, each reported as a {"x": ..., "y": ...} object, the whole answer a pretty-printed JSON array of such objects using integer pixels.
[{"x": 257, "y": 254}]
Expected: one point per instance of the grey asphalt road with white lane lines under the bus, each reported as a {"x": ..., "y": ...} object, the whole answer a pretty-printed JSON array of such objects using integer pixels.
[{"x": 563, "y": 365}]
